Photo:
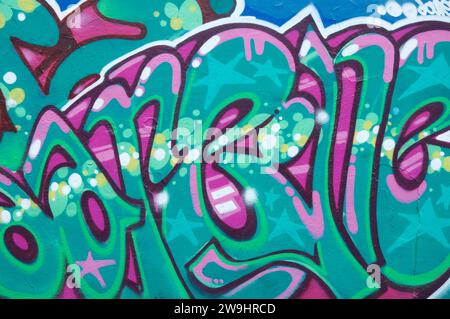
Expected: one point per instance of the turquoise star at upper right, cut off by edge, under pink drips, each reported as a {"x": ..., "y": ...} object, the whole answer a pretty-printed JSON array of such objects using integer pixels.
[{"x": 437, "y": 73}]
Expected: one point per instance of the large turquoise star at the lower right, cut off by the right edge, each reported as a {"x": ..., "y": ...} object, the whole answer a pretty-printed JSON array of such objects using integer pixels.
[{"x": 424, "y": 223}]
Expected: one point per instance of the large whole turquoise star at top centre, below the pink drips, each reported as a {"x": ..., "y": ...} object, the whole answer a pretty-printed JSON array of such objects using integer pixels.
[{"x": 219, "y": 75}]
